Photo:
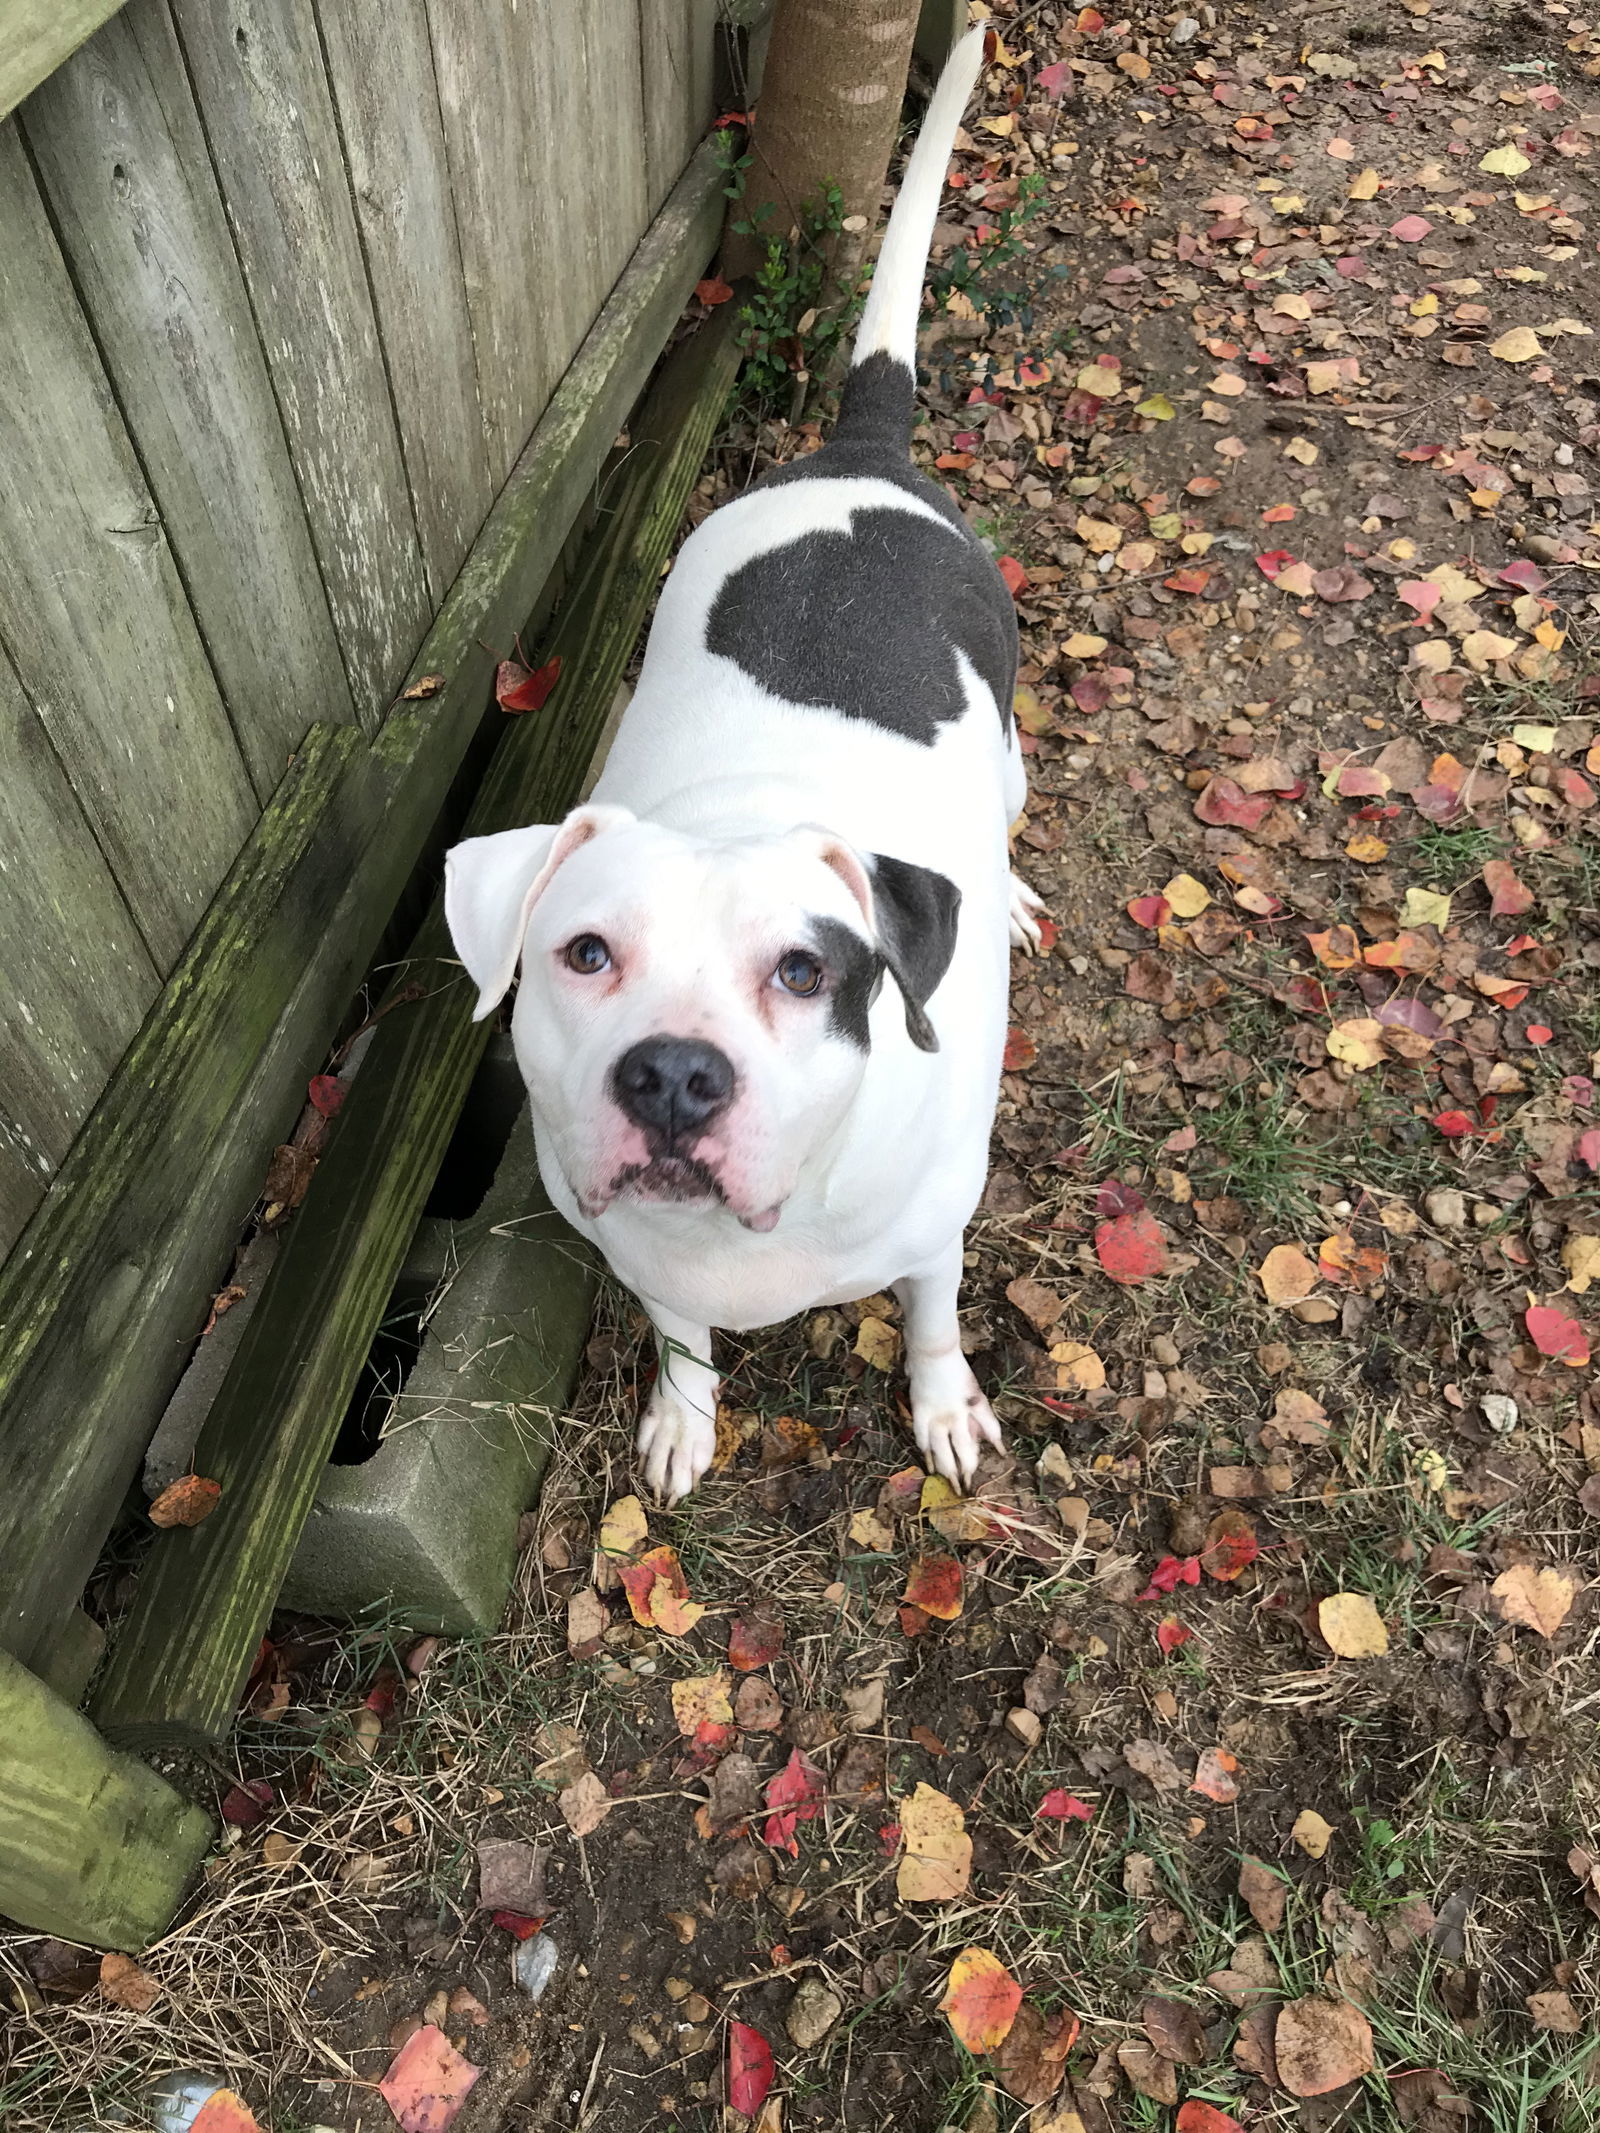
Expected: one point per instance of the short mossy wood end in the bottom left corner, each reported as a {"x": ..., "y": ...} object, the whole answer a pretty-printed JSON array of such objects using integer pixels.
[{"x": 93, "y": 1846}]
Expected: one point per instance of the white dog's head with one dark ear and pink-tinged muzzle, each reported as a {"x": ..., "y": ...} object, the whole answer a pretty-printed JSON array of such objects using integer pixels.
[{"x": 694, "y": 1016}]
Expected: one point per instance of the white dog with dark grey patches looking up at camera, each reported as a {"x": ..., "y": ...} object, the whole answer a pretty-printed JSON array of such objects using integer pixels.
[{"x": 810, "y": 790}]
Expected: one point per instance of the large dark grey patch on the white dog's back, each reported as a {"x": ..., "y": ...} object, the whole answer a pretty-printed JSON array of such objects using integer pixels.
[{"x": 869, "y": 622}]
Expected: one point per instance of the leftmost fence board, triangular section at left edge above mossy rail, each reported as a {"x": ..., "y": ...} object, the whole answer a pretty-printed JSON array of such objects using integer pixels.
[{"x": 76, "y": 972}]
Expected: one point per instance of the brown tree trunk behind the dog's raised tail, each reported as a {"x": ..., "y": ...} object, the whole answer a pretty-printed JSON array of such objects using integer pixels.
[{"x": 829, "y": 114}]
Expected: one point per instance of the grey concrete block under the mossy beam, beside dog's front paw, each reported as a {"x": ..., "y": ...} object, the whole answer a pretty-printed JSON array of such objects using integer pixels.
[{"x": 428, "y": 1524}]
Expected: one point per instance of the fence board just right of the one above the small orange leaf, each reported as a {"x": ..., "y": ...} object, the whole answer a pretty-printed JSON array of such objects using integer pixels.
[{"x": 381, "y": 65}]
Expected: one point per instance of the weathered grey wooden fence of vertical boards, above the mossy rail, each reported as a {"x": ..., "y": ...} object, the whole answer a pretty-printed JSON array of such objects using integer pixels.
[{"x": 287, "y": 287}]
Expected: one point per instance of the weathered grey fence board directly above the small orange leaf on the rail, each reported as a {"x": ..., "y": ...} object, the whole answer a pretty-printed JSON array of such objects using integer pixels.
[{"x": 270, "y": 123}]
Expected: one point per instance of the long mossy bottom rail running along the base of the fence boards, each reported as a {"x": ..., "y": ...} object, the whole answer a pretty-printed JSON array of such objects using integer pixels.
[{"x": 108, "y": 1285}]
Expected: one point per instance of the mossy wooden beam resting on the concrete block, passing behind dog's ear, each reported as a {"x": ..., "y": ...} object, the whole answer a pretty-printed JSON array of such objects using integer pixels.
[{"x": 206, "y": 1594}]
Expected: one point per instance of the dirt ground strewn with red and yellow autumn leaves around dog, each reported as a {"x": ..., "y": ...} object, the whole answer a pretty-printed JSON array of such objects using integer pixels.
[{"x": 1249, "y": 1716}]
